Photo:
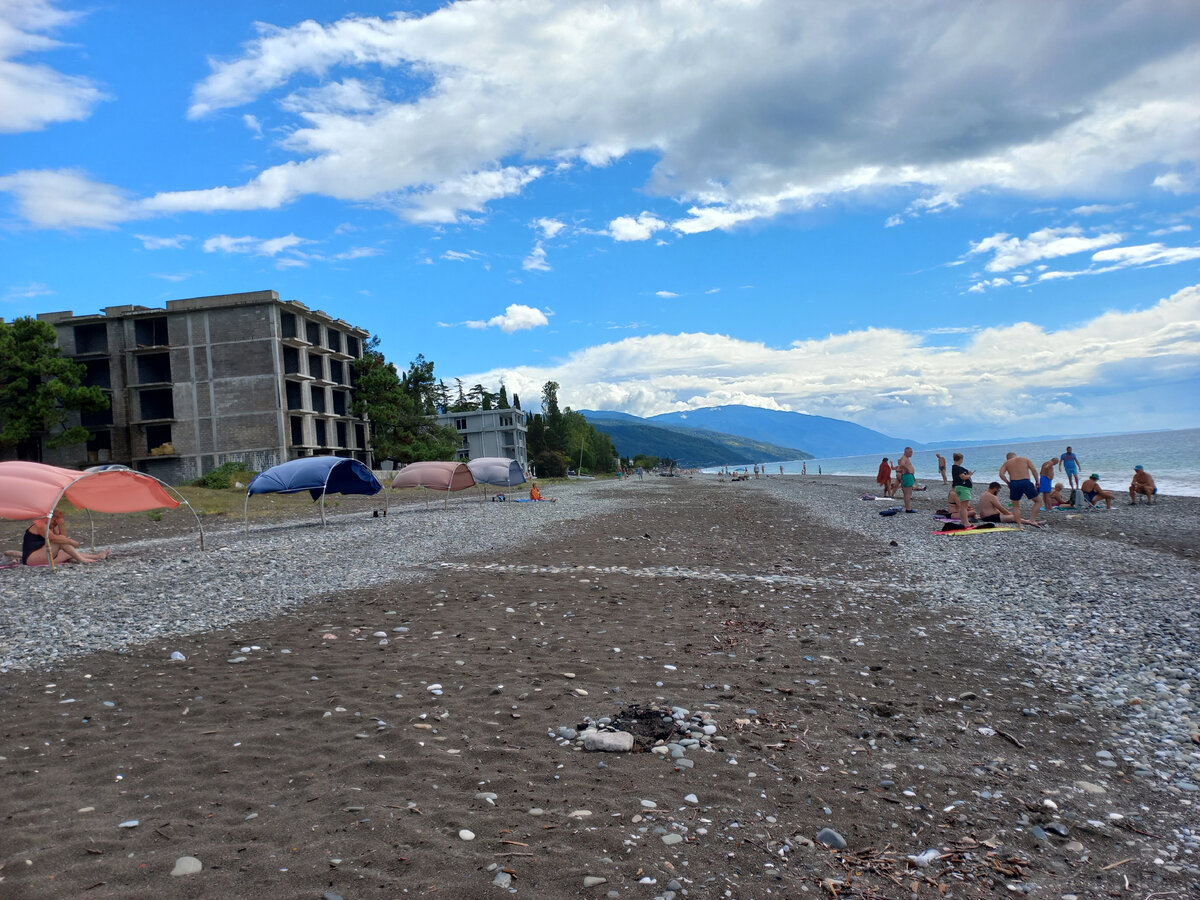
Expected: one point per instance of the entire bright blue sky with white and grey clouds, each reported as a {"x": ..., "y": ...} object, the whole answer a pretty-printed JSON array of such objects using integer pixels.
[{"x": 939, "y": 220}]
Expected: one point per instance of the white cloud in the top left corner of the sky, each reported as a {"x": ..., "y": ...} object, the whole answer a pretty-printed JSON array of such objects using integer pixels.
[{"x": 32, "y": 95}]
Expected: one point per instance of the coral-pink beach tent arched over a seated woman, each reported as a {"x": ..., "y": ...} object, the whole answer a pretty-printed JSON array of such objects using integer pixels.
[{"x": 33, "y": 490}]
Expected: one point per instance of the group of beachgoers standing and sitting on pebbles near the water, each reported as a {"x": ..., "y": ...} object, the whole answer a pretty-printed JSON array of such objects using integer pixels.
[{"x": 1033, "y": 483}]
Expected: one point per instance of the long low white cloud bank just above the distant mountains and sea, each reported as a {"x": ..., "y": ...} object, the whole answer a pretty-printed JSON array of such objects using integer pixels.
[{"x": 892, "y": 380}]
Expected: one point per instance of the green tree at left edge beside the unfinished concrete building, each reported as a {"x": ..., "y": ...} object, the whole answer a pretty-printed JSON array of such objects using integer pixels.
[{"x": 40, "y": 388}]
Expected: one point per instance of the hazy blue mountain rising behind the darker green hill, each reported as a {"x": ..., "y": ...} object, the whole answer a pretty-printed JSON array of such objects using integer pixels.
[{"x": 818, "y": 435}]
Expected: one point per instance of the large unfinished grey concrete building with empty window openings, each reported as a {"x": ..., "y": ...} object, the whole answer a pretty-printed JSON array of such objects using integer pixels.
[{"x": 214, "y": 380}]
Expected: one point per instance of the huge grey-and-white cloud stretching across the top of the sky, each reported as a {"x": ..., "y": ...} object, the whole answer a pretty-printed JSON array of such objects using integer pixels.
[{"x": 439, "y": 116}]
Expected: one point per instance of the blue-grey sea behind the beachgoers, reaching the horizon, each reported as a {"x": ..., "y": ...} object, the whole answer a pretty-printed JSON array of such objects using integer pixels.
[{"x": 1172, "y": 458}]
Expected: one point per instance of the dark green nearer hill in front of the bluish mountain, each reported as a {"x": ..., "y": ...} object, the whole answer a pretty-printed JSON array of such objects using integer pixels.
[{"x": 692, "y": 448}]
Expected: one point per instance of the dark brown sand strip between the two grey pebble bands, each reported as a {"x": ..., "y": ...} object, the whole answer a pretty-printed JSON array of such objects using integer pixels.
[{"x": 271, "y": 770}]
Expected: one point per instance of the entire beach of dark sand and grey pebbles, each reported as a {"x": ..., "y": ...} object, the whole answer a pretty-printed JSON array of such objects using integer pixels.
[{"x": 393, "y": 707}]
